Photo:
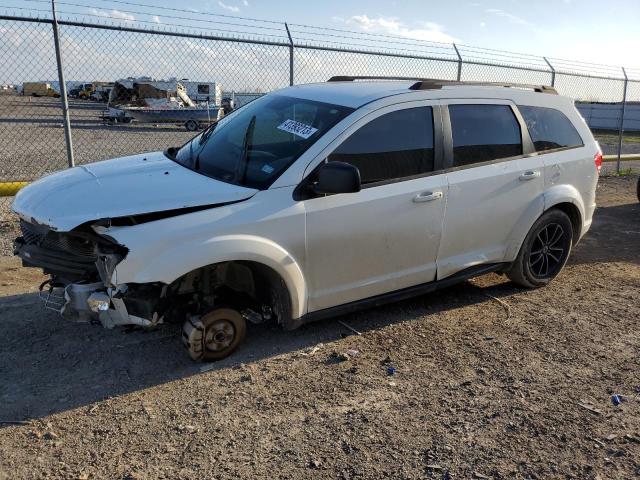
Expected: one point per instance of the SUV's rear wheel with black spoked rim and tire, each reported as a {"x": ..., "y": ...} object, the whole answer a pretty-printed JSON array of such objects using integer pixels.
[{"x": 544, "y": 252}]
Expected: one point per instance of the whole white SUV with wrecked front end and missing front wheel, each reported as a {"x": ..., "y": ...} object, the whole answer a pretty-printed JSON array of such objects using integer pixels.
[{"x": 317, "y": 200}]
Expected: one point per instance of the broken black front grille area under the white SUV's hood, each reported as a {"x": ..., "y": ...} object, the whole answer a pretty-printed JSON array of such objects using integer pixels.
[{"x": 69, "y": 257}]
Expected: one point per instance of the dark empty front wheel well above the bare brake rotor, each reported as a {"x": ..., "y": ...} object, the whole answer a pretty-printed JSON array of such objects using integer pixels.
[{"x": 239, "y": 284}]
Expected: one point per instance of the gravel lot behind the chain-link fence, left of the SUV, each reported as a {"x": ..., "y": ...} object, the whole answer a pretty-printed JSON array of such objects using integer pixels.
[{"x": 39, "y": 120}]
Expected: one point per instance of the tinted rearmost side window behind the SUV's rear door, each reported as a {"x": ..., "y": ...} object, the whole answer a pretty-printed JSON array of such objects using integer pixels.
[{"x": 549, "y": 128}]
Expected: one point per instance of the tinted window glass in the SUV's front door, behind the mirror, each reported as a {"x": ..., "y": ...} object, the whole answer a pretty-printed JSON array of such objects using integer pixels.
[{"x": 395, "y": 145}]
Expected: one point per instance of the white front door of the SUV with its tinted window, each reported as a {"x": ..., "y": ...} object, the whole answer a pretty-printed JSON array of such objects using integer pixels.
[{"x": 385, "y": 237}]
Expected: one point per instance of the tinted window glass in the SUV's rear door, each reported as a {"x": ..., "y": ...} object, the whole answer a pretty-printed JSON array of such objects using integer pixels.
[{"x": 483, "y": 132}]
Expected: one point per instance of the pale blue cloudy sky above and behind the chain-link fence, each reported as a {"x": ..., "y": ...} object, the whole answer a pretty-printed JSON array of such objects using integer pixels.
[{"x": 576, "y": 30}]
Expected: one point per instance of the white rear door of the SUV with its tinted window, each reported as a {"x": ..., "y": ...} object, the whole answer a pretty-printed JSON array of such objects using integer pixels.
[{"x": 495, "y": 183}]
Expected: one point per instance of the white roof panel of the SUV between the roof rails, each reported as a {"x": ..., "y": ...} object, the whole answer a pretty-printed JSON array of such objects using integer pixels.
[{"x": 355, "y": 94}]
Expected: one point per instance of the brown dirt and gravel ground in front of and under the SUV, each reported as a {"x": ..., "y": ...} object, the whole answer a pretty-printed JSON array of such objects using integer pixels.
[{"x": 491, "y": 381}]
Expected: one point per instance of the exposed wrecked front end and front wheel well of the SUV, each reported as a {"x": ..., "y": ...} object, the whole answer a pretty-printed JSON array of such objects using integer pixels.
[{"x": 81, "y": 265}]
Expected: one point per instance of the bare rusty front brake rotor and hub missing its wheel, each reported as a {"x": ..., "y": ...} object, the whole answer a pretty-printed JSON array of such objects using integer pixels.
[{"x": 215, "y": 335}]
